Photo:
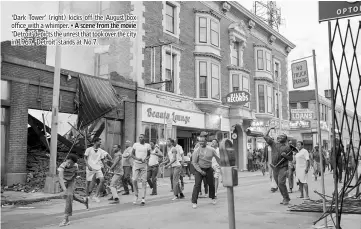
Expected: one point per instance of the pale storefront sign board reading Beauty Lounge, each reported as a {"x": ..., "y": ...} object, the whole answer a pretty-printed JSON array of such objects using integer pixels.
[{"x": 158, "y": 114}]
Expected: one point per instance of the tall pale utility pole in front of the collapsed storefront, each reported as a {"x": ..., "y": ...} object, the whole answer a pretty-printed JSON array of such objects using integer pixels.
[{"x": 51, "y": 182}]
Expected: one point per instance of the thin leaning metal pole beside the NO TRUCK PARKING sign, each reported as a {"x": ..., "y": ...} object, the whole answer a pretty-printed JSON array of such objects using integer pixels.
[{"x": 319, "y": 133}]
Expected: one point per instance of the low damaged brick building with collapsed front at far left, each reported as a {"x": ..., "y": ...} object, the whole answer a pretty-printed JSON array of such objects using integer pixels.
[{"x": 26, "y": 83}]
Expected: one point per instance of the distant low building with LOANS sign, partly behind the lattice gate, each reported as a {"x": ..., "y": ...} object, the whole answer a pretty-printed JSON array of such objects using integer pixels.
[{"x": 306, "y": 129}]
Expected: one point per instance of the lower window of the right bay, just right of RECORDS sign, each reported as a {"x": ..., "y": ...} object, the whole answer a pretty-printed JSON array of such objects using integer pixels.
[{"x": 265, "y": 98}]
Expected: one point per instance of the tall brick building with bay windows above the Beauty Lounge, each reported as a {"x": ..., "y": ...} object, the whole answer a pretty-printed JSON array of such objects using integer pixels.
[{"x": 193, "y": 54}]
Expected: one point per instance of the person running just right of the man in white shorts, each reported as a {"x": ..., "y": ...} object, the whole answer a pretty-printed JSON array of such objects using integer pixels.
[{"x": 117, "y": 173}]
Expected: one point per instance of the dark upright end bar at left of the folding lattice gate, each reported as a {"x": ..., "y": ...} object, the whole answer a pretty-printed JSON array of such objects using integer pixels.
[{"x": 333, "y": 139}]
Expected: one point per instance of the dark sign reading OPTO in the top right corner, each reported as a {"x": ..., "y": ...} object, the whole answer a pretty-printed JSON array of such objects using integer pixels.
[{"x": 331, "y": 10}]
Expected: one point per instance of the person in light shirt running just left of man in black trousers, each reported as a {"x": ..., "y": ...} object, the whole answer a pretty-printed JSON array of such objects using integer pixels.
[{"x": 174, "y": 162}]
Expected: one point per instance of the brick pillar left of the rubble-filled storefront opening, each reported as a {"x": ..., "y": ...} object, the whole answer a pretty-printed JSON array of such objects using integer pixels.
[{"x": 16, "y": 159}]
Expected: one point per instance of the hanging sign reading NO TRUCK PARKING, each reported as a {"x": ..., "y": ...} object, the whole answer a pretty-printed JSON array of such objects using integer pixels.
[{"x": 300, "y": 74}]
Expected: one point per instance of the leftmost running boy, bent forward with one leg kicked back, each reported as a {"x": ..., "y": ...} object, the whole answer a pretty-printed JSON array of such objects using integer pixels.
[{"x": 67, "y": 178}]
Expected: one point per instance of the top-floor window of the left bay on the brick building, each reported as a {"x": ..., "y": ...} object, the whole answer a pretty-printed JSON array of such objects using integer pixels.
[{"x": 207, "y": 29}]
